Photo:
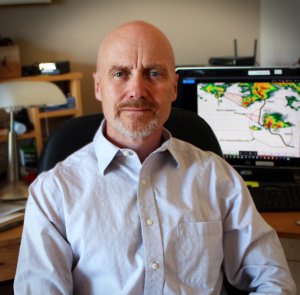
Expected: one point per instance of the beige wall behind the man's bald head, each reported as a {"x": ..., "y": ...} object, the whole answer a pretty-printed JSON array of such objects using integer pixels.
[{"x": 72, "y": 29}]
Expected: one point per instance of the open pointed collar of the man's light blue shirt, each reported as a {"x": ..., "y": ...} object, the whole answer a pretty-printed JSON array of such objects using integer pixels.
[{"x": 106, "y": 150}]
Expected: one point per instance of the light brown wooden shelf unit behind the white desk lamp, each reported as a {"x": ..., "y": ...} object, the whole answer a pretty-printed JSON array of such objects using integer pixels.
[{"x": 39, "y": 117}]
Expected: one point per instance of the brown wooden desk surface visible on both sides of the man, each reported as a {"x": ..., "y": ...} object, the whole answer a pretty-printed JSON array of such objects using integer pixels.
[{"x": 283, "y": 222}]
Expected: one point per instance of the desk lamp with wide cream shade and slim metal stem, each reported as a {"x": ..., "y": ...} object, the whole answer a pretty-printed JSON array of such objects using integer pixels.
[{"x": 13, "y": 97}]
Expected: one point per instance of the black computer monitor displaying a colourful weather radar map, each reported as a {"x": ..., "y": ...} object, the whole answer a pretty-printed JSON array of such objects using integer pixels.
[{"x": 254, "y": 112}]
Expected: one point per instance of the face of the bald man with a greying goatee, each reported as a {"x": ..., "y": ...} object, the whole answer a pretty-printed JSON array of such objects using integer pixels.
[{"x": 136, "y": 83}]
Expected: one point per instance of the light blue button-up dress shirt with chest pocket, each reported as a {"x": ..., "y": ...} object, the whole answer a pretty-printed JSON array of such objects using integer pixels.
[{"x": 102, "y": 222}]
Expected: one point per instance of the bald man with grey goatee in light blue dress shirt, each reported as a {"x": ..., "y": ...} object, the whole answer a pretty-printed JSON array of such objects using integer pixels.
[{"x": 137, "y": 211}]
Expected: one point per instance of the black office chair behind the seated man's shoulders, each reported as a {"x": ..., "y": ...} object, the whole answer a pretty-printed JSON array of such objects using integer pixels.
[{"x": 77, "y": 132}]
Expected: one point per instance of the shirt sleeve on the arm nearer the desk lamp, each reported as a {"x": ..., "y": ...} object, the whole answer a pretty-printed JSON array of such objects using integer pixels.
[{"x": 45, "y": 257}]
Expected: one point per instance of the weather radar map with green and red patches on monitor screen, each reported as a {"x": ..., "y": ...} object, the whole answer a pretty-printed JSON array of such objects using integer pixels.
[{"x": 253, "y": 116}]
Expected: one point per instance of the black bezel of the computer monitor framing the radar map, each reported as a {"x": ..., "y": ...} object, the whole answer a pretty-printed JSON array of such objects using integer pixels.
[{"x": 238, "y": 74}]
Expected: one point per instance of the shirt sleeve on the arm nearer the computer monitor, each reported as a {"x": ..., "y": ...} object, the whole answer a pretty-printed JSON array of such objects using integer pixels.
[{"x": 253, "y": 255}]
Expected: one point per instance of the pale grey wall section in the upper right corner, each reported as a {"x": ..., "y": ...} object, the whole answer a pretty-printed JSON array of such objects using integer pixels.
[{"x": 280, "y": 32}]
